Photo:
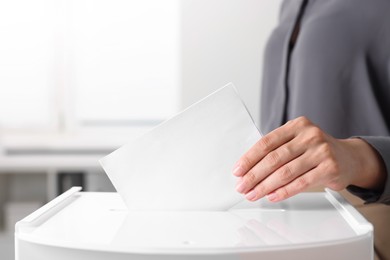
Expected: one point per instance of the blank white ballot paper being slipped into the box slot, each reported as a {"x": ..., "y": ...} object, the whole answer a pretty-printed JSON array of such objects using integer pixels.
[{"x": 186, "y": 162}]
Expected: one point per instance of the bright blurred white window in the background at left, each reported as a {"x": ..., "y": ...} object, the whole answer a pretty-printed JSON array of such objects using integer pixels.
[{"x": 75, "y": 63}]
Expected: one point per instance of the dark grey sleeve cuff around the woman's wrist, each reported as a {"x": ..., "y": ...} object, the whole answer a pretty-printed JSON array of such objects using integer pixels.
[{"x": 382, "y": 145}]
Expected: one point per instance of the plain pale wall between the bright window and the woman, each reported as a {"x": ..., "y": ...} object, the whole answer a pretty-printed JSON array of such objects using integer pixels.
[{"x": 222, "y": 41}]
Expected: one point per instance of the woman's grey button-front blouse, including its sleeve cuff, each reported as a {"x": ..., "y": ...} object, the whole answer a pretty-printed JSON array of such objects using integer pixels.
[{"x": 336, "y": 73}]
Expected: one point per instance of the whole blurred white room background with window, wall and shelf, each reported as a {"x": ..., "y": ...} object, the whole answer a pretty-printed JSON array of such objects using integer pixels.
[{"x": 79, "y": 78}]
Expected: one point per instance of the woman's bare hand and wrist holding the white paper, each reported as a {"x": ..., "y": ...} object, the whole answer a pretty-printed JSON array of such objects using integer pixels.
[{"x": 298, "y": 156}]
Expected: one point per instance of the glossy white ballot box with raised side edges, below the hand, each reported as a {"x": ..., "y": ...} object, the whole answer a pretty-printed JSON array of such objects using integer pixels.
[{"x": 96, "y": 225}]
